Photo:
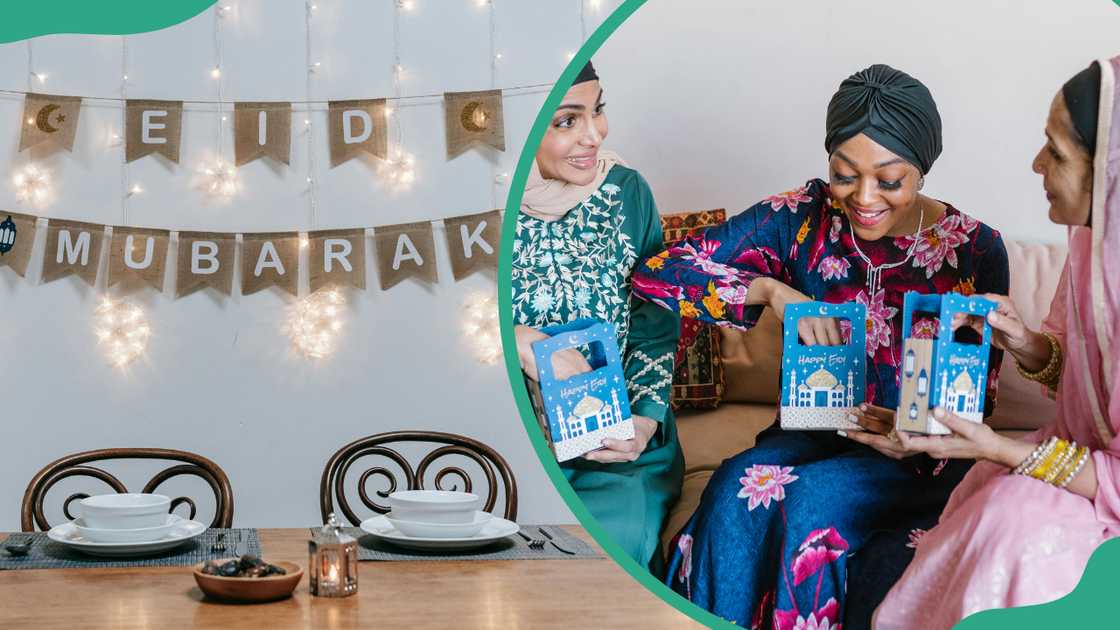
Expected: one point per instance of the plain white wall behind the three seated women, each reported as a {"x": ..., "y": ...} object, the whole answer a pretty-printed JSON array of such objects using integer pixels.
[{"x": 722, "y": 103}]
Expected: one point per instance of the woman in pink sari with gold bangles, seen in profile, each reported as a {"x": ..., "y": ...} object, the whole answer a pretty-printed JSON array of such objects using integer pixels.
[{"x": 1022, "y": 525}]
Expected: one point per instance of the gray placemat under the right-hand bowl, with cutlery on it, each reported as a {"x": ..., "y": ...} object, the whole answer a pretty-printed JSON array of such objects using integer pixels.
[{"x": 511, "y": 549}]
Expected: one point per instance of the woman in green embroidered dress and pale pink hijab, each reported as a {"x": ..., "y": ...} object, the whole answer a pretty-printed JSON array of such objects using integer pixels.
[{"x": 585, "y": 223}]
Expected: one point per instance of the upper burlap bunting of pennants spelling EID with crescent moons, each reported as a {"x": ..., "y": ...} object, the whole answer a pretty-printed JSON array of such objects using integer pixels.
[{"x": 264, "y": 129}]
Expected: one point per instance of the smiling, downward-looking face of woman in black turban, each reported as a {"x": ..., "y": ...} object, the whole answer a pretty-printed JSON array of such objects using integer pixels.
[{"x": 876, "y": 189}]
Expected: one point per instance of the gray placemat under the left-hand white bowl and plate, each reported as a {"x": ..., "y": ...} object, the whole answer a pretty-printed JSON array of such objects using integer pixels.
[{"x": 48, "y": 554}]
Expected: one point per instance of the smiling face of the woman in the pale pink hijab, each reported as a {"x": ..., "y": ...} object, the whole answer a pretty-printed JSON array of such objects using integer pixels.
[{"x": 571, "y": 150}]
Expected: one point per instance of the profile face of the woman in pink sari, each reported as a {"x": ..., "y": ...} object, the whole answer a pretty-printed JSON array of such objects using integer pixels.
[{"x": 1067, "y": 169}]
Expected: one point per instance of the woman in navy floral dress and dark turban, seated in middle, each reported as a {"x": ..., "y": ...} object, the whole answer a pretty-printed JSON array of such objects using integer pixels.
[{"x": 809, "y": 530}]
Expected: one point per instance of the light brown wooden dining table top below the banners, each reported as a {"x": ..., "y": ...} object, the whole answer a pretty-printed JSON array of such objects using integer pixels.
[{"x": 537, "y": 594}]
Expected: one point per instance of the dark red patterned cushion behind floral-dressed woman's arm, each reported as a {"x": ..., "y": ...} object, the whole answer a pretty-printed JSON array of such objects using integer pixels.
[{"x": 698, "y": 377}]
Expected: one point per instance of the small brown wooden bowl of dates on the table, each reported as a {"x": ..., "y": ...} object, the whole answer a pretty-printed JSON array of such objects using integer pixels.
[{"x": 248, "y": 580}]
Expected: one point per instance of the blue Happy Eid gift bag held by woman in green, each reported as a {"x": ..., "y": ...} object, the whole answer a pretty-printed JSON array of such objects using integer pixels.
[{"x": 578, "y": 413}]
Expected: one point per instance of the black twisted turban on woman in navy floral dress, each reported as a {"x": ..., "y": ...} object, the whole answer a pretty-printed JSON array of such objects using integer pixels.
[{"x": 892, "y": 108}]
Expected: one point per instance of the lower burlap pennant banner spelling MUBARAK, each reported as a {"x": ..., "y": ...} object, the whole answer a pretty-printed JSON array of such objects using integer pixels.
[{"x": 142, "y": 257}]
